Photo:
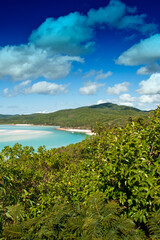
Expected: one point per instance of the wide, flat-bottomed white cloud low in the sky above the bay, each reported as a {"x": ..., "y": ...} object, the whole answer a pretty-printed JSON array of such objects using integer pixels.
[{"x": 46, "y": 88}]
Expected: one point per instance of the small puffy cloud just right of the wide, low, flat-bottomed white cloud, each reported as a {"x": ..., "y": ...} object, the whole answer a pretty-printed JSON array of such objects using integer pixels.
[{"x": 90, "y": 88}]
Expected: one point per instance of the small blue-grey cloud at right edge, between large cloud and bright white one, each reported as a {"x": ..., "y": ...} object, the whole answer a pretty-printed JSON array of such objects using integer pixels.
[{"x": 149, "y": 69}]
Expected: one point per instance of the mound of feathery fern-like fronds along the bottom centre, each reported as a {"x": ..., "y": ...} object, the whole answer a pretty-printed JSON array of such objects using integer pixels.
[{"x": 98, "y": 220}]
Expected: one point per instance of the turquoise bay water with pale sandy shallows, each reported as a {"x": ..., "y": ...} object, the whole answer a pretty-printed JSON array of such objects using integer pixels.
[{"x": 37, "y": 136}]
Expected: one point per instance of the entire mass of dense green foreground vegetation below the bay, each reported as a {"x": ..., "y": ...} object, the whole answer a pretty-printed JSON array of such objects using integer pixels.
[{"x": 106, "y": 187}]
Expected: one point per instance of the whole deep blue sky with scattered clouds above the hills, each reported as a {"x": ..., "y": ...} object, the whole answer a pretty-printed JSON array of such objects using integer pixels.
[{"x": 66, "y": 54}]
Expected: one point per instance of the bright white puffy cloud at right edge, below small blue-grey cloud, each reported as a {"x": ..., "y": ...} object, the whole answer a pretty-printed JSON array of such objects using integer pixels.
[{"x": 150, "y": 86}]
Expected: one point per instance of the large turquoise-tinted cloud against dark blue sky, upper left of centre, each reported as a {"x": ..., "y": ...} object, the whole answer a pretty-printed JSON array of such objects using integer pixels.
[{"x": 69, "y": 34}]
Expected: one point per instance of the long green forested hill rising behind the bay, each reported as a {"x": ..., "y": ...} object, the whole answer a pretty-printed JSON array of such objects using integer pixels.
[{"x": 84, "y": 117}]
